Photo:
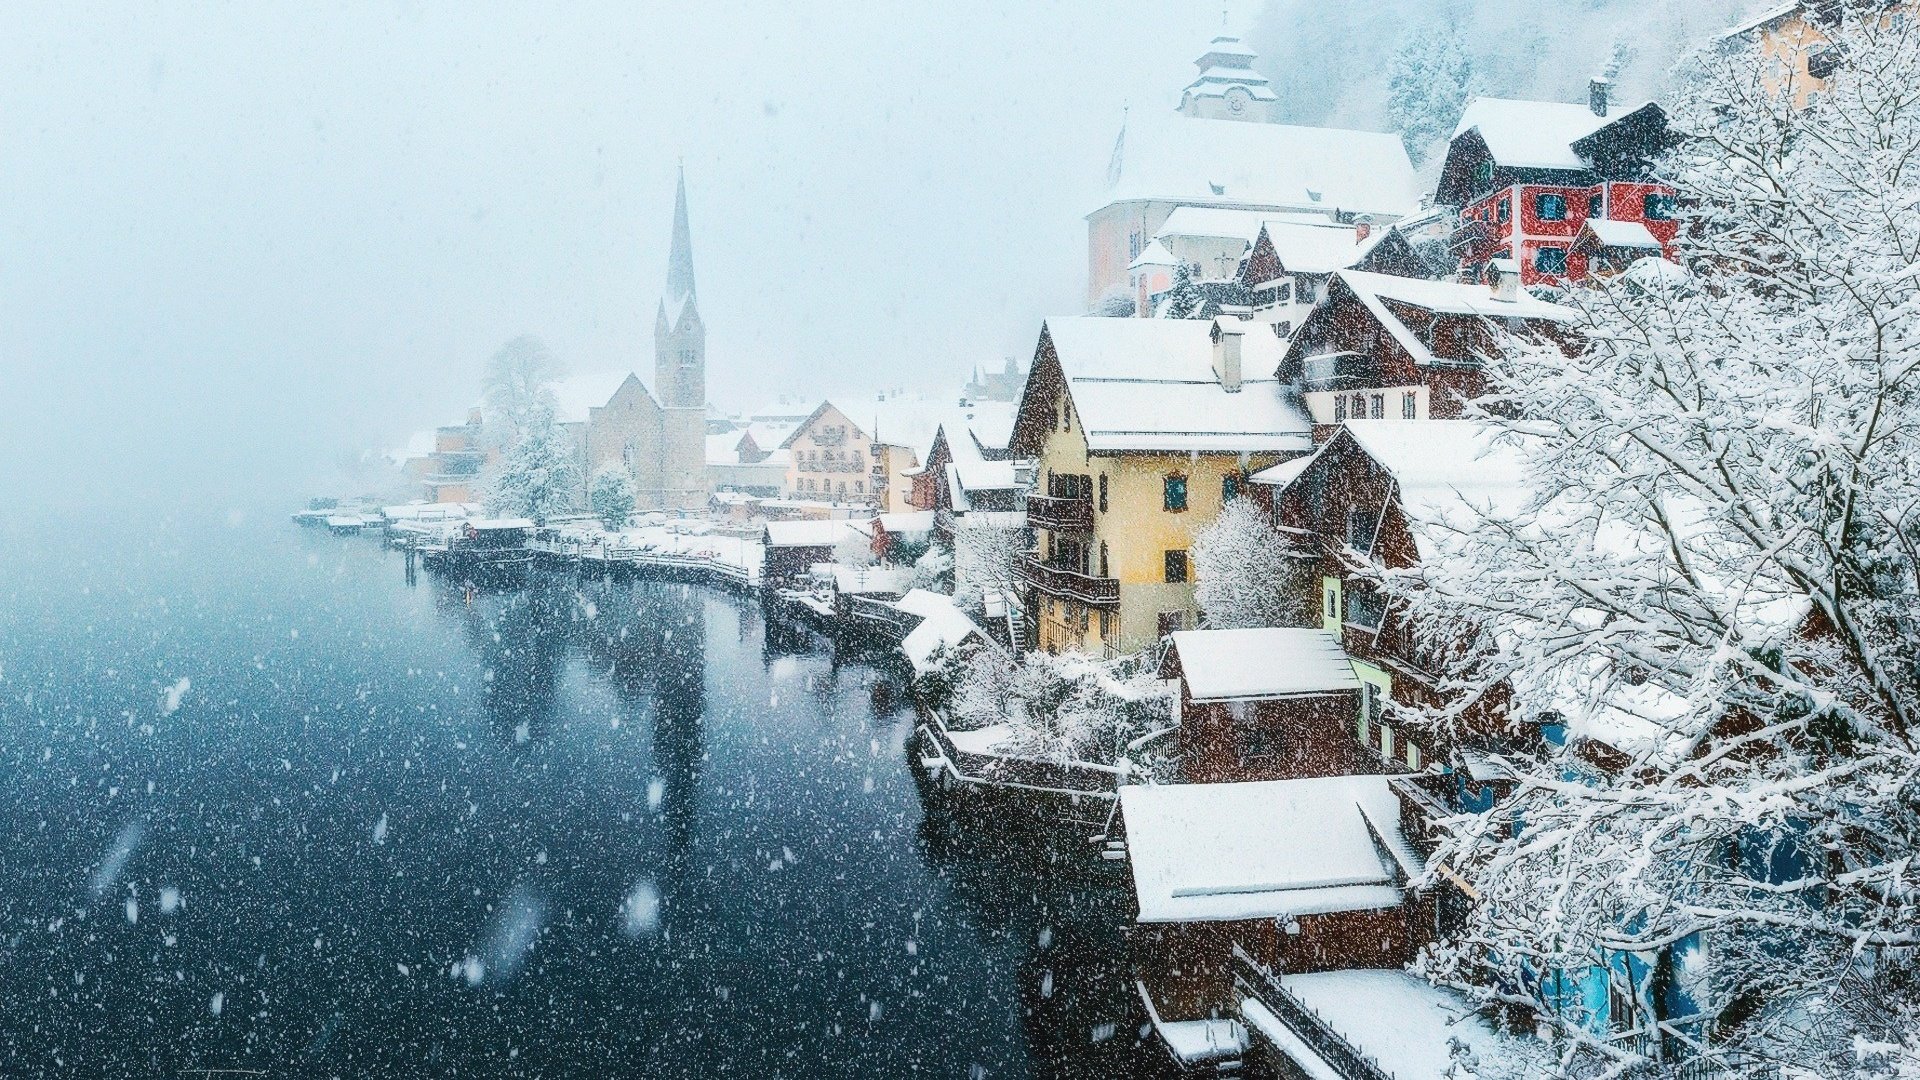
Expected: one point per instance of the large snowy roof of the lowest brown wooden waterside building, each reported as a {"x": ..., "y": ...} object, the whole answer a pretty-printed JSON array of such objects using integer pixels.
[{"x": 1211, "y": 852}]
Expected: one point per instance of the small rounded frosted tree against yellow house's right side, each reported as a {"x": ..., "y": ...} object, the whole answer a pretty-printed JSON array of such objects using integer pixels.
[{"x": 1243, "y": 574}]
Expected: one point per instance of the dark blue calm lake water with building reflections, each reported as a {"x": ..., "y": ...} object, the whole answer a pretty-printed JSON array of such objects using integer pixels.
[{"x": 270, "y": 808}]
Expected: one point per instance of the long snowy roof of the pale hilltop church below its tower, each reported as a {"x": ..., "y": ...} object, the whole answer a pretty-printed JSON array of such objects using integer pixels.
[{"x": 1222, "y": 162}]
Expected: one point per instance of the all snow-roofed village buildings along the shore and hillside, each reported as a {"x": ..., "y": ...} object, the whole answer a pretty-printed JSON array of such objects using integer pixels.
[{"x": 1278, "y": 318}]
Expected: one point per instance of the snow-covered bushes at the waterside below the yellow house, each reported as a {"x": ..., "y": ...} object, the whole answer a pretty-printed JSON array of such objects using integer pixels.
[{"x": 1065, "y": 708}]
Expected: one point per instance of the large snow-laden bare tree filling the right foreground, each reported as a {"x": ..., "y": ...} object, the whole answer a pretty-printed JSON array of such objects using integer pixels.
[{"x": 1716, "y": 599}]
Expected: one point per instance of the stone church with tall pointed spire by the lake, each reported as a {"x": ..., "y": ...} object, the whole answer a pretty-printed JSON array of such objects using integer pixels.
[{"x": 660, "y": 439}]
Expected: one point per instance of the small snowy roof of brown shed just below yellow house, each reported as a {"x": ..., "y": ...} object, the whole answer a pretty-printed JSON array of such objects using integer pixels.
[{"x": 1268, "y": 662}]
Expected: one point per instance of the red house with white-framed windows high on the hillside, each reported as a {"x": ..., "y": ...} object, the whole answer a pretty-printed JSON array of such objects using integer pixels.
[{"x": 1531, "y": 176}]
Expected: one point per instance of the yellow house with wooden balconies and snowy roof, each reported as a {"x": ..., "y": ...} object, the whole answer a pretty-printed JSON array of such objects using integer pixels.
[{"x": 1140, "y": 431}]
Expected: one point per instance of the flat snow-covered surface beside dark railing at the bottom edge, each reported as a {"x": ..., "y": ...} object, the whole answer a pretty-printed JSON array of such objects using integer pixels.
[{"x": 1426, "y": 1019}]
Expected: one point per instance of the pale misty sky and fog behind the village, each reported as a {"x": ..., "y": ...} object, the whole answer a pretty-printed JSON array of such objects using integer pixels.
[{"x": 239, "y": 241}]
